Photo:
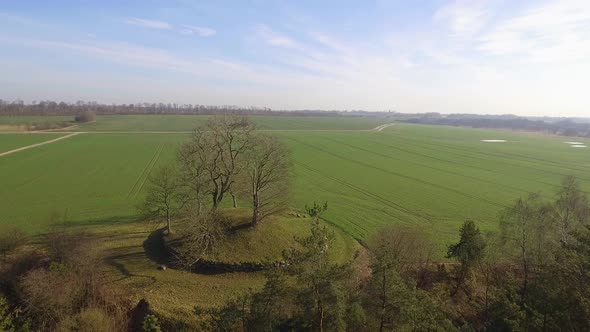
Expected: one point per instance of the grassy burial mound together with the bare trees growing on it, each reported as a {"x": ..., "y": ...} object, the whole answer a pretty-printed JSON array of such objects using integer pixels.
[{"x": 226, "y": 159}]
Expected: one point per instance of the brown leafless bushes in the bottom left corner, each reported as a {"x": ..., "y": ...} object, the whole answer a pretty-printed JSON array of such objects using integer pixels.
[{"x": 69, "y": 283}]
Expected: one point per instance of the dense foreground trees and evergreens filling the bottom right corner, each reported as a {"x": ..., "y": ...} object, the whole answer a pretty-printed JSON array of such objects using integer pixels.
[{"x": 532, "y": 275}]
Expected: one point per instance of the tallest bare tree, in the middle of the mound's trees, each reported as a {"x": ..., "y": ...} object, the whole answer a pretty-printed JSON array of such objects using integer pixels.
[{"x": 217, "y": 150}]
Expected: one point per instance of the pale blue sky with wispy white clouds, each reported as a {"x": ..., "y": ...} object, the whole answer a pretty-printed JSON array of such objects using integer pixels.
[{"x": 520, "y": 57}]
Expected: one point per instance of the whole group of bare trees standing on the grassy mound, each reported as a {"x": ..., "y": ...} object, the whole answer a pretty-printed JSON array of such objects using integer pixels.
[{"x": 225, "y": 157}]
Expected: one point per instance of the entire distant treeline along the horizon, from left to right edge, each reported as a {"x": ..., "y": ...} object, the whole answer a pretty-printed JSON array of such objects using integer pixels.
[{"x": 550, "y": 125}]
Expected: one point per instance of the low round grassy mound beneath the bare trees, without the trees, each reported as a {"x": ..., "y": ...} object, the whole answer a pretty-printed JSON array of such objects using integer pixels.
[{"x": 241, "y": 248}]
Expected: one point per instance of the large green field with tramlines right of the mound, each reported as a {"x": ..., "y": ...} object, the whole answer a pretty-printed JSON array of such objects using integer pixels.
[{"x": 430, "y": 177}]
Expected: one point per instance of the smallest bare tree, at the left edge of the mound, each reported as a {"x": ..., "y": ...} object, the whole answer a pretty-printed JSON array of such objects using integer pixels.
[{"x": 164, "y": 195}]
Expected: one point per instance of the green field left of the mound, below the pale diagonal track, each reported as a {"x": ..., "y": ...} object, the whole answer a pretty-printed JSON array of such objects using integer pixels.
[{"x": 83, "y": 178}]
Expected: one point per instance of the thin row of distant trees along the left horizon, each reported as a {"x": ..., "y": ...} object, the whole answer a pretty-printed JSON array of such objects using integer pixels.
[{"x": 18, "y": 107}]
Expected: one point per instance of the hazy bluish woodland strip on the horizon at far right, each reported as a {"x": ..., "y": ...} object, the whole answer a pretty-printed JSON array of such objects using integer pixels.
[{"x": 557, "y": 126}]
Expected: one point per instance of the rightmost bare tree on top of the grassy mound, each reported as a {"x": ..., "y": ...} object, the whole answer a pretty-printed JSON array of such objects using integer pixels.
[{"x": 268, "y": 171}]
